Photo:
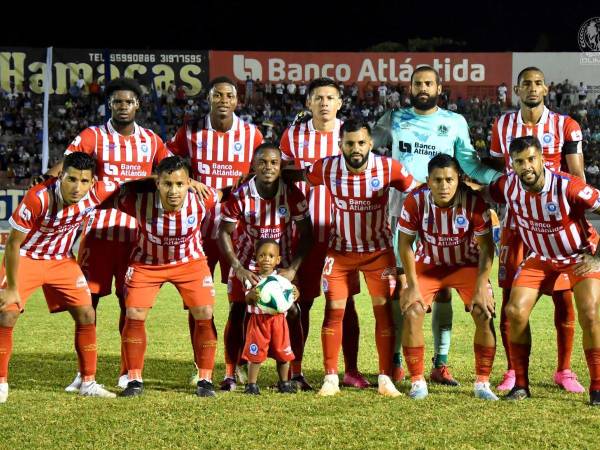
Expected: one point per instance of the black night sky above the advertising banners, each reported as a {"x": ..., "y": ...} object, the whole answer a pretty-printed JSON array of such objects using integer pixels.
[{"x": 303, "y": 26}]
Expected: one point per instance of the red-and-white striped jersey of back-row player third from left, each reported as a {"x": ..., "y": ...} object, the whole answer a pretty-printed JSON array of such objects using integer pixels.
[{"x": 304, "y": 145}]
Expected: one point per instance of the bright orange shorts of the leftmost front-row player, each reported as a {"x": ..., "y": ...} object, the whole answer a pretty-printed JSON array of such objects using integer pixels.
[{"x": 62, "y": 281}]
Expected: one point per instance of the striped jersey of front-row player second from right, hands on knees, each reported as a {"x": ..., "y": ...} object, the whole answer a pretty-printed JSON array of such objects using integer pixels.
[{"x": 446, "y": 235}]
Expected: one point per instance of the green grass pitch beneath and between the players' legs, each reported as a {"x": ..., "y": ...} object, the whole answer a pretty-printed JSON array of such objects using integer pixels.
[{"x": 40, "y": 415}]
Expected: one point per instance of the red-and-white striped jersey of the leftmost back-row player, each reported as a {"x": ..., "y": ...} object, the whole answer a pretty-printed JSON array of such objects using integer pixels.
[{"x": 119, "y": 159}]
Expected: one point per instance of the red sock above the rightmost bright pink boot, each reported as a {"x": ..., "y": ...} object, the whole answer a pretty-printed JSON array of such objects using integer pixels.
[{"x": 564, "y": 321}]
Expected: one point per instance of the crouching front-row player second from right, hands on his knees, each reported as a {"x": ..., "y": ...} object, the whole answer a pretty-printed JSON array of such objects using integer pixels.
[{"x": 455, "y": 250}]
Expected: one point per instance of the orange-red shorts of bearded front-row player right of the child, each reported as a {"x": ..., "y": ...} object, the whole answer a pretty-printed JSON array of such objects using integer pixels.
[{"x": 341, "y": 270}]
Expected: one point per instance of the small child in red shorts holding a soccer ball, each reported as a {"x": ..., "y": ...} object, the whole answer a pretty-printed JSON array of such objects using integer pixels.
[{"x": 267, "y": 331}]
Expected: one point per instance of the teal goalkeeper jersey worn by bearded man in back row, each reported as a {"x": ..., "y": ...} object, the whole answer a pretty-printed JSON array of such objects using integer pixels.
[{"x": 415, "y": 139}]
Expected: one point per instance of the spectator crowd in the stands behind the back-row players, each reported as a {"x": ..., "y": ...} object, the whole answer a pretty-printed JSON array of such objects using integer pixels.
[{"x": 272, "y": 107}]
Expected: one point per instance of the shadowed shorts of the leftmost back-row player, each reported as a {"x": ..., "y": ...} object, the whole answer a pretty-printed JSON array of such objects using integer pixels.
[{"x": 101, "y": 260}]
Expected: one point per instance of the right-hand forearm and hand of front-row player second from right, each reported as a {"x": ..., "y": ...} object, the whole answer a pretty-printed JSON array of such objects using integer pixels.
[{"x": 482, "y": 302}]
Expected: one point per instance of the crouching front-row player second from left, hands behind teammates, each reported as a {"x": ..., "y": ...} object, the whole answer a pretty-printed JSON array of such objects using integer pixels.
[{"x": 169, "y": 249}]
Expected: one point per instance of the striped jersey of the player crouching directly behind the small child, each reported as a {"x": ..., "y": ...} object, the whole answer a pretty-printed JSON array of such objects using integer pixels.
[{"x": 260, "y": 218}]
